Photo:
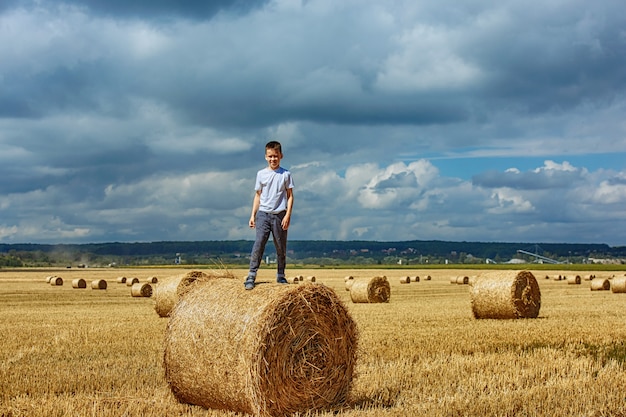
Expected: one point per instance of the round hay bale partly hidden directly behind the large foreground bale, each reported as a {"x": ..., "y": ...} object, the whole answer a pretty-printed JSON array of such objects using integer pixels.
[{"x": 169, "y": 289}]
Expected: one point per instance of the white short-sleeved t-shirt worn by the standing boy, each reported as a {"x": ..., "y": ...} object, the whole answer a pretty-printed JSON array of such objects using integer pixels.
[{"x": 273, "y": 186}]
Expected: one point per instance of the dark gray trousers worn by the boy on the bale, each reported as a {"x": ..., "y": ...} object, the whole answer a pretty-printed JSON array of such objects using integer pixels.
[{"x": 264, "y": 224}]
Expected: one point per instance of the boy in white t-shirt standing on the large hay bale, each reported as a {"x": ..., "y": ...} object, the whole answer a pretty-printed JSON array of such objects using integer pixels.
[{"x": 271, "y": 212}]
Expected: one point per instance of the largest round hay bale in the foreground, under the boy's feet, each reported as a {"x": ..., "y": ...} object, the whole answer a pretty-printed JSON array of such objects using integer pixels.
[{"x": 274, "y": 351}]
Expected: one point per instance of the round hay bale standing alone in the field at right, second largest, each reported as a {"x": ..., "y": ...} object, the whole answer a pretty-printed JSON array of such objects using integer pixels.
[{"x": 505, "y": 295}]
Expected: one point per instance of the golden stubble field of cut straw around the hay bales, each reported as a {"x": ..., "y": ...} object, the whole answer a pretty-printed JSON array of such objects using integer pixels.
[{"x": 85, "y": 352}]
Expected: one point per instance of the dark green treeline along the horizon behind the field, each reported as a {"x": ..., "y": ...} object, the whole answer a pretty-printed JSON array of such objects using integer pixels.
[{"x": 300, "y": 251}]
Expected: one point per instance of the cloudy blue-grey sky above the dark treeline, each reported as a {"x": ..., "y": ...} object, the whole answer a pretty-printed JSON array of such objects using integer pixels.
[{"x": 480, "y": 120}]
